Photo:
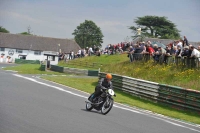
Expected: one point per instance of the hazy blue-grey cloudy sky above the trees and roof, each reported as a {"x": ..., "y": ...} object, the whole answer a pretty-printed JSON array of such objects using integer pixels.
[{"x": 59, "y": 18}]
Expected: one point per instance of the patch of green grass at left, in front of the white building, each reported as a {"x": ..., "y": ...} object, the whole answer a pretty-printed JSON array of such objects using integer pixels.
[{"x": 30, "y": 69}]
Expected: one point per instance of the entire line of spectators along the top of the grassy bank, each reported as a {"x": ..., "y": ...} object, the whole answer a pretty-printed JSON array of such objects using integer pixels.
[{"x": 177, "y": 48}]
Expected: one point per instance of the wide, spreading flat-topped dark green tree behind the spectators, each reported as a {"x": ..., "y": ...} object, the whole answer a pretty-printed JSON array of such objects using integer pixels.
[{"x": 156, "y": 27}]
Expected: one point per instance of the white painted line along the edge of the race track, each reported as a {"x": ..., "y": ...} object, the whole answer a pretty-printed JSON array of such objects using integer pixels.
[{"x": 124, "y": 108}]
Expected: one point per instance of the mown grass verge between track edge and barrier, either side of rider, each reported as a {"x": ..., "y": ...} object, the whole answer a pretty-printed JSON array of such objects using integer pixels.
[{"x": 88, "y": 85}]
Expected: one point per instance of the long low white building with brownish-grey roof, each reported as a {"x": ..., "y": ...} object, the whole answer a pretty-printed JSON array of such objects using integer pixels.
[{"x": 31, "y": 47}]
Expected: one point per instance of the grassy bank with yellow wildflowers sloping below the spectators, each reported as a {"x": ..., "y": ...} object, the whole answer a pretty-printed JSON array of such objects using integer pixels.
[{"x": 164, "y": 74}]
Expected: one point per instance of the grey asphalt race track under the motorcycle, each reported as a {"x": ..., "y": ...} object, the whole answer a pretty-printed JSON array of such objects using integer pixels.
[{"x": 32, "y": 105}]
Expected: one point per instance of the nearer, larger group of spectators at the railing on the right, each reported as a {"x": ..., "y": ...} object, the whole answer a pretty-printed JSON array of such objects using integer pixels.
[{"x": 178, "y": 48}]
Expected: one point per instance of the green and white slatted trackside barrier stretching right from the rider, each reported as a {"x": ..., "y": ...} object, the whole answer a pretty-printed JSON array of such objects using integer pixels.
[{"x": 173, "y": 96}]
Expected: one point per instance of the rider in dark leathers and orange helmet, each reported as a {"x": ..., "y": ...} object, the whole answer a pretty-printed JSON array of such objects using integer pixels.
[{"x": 104, "y": 84}]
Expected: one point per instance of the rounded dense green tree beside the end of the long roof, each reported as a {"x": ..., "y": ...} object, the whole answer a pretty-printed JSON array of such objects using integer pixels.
[{"x": 87, "y": 34}]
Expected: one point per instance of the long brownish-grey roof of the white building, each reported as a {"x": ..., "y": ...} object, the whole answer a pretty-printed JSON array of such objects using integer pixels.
[{"x": 32, "y": 42}]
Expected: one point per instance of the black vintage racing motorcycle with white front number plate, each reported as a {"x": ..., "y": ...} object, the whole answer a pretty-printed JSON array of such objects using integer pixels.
[{"x": 104, "y": 102}]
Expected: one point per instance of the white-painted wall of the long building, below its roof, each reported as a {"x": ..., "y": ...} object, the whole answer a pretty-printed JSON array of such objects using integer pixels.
[{"x": 30, "y": 56}]
